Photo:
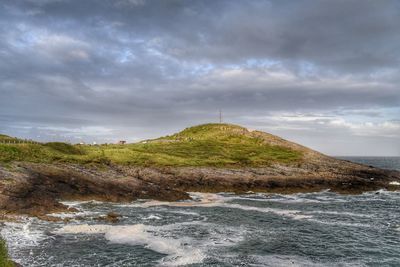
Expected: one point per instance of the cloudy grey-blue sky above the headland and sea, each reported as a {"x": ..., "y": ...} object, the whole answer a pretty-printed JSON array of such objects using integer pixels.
[{"x": 322, "y": 73}]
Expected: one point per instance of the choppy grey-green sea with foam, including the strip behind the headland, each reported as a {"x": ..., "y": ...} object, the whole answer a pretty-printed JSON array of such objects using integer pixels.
[{"x": 224, "y": 229}]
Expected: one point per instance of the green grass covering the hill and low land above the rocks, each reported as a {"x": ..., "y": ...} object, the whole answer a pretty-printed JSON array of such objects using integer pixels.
[{"x": 204, "y": 145}]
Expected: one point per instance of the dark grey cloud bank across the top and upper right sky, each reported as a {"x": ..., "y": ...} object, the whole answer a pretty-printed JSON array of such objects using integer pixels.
[{"x": 341, "y": 35}]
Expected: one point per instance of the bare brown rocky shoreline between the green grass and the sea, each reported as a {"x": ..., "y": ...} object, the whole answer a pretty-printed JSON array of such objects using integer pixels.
[{"x": 36, "y": 189}]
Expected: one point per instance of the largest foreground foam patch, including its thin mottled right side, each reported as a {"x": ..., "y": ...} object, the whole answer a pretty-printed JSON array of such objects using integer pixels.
[{"x": 167, "y": 239}]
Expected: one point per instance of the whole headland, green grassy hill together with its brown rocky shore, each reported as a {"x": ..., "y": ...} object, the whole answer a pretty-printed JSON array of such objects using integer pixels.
[{"x": 205, "y": 158}]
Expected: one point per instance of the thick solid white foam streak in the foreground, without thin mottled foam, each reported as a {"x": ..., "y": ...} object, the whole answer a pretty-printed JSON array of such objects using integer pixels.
[{"x": 178, "y": 250}]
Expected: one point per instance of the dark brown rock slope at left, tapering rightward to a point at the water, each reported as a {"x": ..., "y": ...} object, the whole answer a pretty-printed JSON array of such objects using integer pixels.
[{"x": 36, "y": 189}]
